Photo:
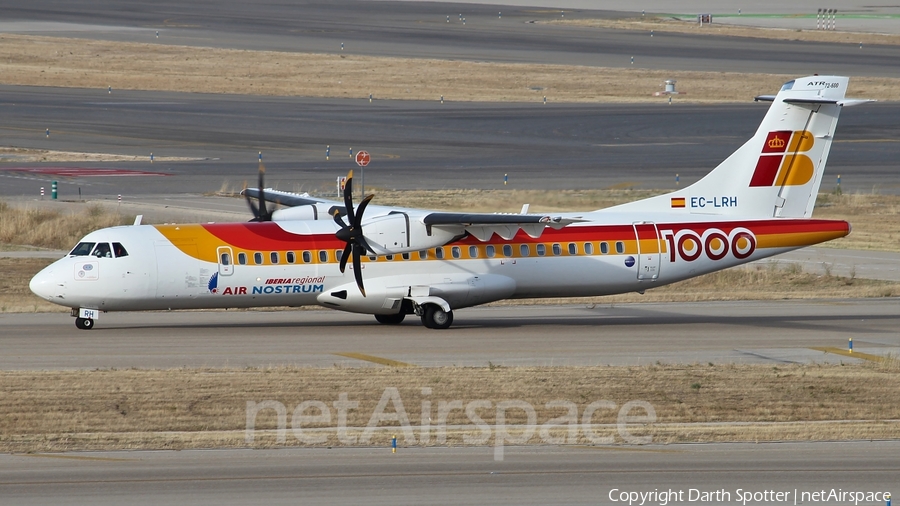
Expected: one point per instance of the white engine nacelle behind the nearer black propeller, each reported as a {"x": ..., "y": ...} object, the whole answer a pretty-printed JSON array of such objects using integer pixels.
[{"x": 396, "y": 233}]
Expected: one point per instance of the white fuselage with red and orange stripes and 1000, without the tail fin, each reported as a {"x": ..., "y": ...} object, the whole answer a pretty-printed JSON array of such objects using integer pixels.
[{"x": 175, "y": 267}]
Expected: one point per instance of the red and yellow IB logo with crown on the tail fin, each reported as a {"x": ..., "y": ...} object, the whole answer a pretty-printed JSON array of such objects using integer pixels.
[{"x": 782, "y": 161}]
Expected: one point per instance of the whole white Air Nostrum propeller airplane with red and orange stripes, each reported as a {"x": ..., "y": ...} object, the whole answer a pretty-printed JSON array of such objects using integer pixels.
[{"x": 755, "y": 204}]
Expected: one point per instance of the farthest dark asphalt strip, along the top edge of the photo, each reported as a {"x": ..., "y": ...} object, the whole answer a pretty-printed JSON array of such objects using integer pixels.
[{"x": 420, "y": 29}]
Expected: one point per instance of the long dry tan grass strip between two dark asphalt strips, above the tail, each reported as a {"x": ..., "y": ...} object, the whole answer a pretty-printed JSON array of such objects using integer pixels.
[{"x": 53, "y": 61}]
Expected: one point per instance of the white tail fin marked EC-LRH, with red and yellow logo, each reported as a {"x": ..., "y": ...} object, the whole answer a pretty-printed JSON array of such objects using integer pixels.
[{"x": 777, "y": 172}]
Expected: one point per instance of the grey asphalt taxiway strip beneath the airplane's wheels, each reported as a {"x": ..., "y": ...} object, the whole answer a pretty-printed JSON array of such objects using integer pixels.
[{"x": 779, "y": 332}]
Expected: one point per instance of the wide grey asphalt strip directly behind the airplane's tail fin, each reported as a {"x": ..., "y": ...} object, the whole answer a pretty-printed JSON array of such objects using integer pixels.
[{"x": 413, "y": 144}]
